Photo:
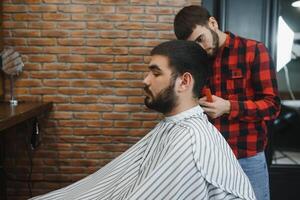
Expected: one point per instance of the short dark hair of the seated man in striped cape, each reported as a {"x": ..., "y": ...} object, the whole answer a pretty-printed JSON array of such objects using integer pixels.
[{"x": 186, "y": 56}]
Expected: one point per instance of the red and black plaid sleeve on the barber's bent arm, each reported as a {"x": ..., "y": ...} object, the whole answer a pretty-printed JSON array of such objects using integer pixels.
[{"x": 266, "y": 104}]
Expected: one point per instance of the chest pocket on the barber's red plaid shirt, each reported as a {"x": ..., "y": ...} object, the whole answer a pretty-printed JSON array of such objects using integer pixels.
[{"x": 236, "y": 84}]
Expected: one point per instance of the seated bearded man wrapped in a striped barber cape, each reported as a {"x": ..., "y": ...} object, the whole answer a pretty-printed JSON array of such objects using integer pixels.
[{"x": 184, "y": 156}]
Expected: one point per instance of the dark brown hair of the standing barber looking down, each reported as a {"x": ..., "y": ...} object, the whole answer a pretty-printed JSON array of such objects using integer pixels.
[{"x": 187, "y": 18}]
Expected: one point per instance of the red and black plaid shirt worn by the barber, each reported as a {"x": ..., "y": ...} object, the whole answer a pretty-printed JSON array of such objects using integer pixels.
[{"x": 243, "y": 73}]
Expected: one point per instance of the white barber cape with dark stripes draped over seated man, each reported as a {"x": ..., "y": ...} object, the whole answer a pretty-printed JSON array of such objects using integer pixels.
[{"x": 183, "y": 157}]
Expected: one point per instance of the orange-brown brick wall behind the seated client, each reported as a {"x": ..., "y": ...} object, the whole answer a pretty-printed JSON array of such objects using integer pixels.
[{"x": 88, "y": 57}]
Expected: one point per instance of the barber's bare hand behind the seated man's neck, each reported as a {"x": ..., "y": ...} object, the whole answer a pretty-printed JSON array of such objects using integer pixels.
[{"x": 216, "y": 108}]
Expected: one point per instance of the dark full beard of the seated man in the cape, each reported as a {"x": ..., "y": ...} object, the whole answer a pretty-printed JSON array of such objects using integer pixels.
[{"x": 165, "y": 100}]
